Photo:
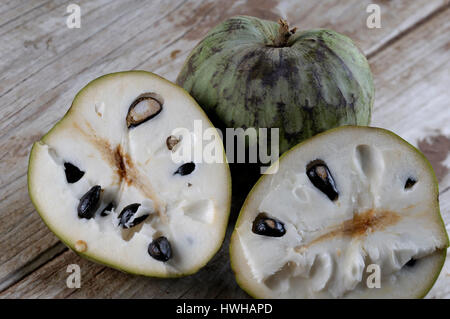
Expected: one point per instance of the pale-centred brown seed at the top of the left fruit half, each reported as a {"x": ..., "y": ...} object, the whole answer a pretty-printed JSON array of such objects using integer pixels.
[{"x": 144, "y": 108}]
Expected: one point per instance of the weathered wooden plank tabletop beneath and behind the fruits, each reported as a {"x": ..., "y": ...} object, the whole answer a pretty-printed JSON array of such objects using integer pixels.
[{"x": 44, "y": 64}]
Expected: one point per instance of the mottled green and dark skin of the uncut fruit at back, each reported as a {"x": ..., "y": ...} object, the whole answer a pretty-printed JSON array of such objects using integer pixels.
[{"x": 319, "y": 80}]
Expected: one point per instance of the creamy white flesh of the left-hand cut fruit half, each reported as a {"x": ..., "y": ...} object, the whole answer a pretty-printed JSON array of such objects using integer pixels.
[{"x": 132, "y": 165}]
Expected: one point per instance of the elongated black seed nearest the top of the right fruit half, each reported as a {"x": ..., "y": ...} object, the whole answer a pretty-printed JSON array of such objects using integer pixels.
[{"x": 319, "y": 174}]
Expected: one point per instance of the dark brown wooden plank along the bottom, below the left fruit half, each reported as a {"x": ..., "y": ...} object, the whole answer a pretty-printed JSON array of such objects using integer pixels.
[{"x": 214, "y": 280}]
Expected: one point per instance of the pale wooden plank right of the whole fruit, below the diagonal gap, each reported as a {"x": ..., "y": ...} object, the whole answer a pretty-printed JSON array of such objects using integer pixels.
[{"x": 411, "y": 83}]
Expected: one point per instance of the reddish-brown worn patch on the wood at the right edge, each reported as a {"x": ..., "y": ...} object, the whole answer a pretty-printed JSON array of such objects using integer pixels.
[{"x": 436, "y": 149}]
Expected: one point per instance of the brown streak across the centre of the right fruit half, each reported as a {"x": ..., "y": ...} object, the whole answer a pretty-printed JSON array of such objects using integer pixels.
[{"x": 361, "y": 225}]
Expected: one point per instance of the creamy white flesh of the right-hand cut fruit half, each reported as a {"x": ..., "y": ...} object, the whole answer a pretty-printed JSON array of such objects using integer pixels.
[{"x": 328, "y": 244}]
